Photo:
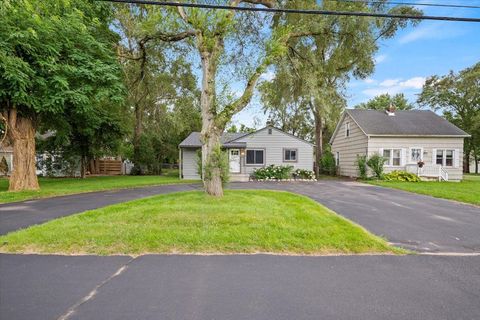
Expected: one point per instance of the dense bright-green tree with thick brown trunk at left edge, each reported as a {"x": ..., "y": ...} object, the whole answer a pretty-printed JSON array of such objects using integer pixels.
[{"x": 55, "y": 55}]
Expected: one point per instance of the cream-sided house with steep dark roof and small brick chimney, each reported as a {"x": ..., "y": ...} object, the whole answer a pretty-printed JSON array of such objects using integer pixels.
[{"x": 404, "y": 138}]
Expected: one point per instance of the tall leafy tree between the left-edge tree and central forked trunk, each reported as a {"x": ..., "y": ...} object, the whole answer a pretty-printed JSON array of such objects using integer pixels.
[{"x": 162, "y": 90}]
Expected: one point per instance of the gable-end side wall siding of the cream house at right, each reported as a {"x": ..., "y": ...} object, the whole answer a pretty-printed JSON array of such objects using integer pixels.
[{"x": 349, "y": 147}]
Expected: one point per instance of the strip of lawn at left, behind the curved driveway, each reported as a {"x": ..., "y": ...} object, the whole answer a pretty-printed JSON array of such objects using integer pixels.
[{"x": 50, "y": 187}]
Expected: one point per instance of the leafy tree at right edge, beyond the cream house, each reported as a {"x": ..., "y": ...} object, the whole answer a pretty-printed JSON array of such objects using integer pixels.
[{"x": 458, "y": 97}]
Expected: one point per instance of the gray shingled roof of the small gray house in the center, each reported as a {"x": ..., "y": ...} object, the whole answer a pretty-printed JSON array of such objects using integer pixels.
[{"x": 230, "y": 139}]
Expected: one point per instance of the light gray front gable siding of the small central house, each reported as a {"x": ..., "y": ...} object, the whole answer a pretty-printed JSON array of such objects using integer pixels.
[{"x": 274, "y": 144}]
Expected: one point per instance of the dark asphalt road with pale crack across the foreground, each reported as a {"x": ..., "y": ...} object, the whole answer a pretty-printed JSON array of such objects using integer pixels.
[{"x": 239, "y": 287}]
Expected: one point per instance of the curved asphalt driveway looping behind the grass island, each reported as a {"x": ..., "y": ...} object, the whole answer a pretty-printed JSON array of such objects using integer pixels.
[{"x": 409, "y": 220}]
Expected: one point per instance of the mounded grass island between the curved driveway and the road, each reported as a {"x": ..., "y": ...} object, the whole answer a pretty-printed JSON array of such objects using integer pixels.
[{"x": 193, "y": 222}]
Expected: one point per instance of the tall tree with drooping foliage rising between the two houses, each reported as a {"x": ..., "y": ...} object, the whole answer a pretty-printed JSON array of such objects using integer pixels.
[{"x": 320, "y": 62}]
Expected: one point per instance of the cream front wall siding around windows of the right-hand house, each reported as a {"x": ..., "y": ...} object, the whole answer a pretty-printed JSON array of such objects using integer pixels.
[{"x": 429, "y": 144}]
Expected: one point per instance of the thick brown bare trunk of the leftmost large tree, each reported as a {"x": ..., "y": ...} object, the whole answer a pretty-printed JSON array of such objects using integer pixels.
[{"x": 21, "y": 132}]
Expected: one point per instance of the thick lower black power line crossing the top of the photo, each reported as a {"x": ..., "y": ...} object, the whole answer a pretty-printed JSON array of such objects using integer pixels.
[{"x": 299, "y": 11}]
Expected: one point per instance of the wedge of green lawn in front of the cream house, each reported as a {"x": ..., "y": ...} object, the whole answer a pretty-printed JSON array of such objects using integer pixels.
[{"x": 467, "y": 190}]
